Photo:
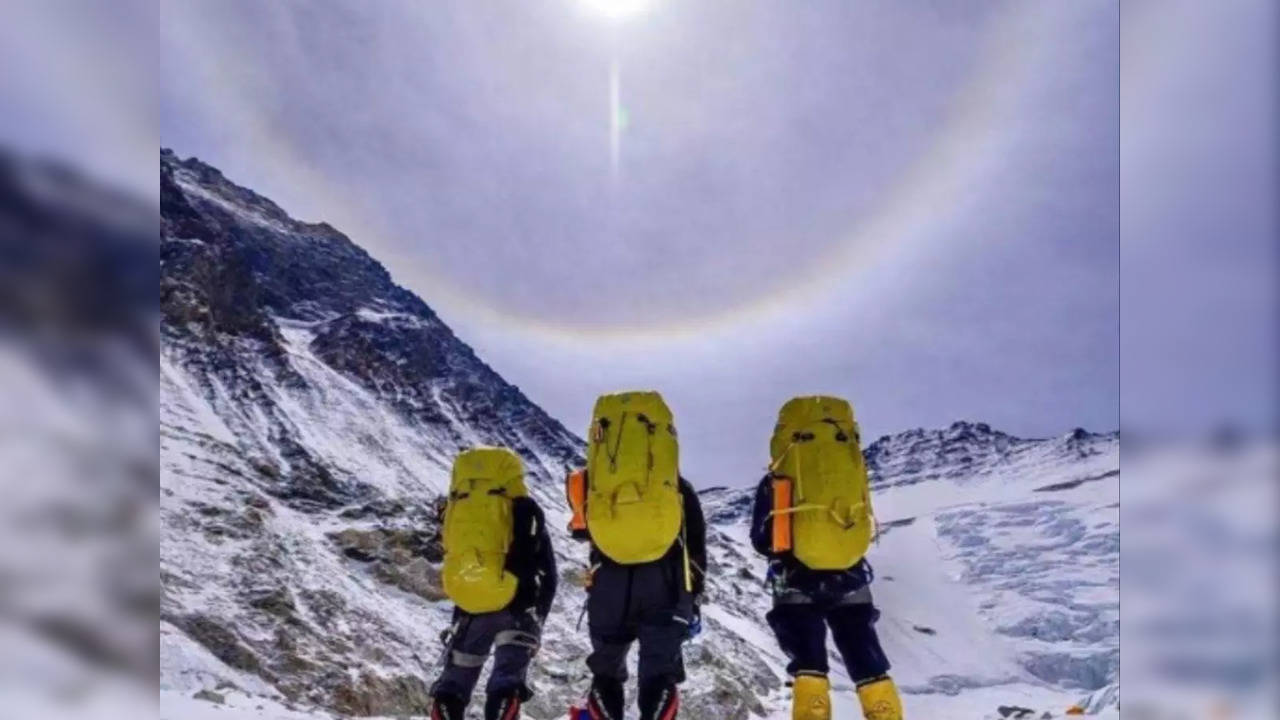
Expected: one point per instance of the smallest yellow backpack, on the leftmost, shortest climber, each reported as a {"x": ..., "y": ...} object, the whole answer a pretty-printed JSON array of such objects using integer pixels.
[{"x": 478, "y": 528}]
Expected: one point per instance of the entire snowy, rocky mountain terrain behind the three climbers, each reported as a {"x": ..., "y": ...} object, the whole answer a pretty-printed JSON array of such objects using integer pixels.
[{"x": 310, "y": 411}]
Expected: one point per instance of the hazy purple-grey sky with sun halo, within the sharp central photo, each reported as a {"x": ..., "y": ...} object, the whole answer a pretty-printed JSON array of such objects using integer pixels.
[{"x": 909, "y": 204}]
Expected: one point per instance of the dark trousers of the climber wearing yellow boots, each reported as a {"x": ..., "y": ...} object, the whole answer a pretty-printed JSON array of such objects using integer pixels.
[{"x": 801, "y": 625}]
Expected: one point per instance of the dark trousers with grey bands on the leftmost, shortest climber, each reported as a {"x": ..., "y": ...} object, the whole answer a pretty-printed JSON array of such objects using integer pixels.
[{"x": 514, "y": 641}]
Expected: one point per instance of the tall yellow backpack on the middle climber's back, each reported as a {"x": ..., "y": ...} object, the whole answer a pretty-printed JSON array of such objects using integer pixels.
[{"x": 634, "y": 511}]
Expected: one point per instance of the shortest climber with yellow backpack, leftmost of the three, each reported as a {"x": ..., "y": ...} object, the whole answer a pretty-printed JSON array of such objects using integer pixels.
[{"x": 500, "y": 572}]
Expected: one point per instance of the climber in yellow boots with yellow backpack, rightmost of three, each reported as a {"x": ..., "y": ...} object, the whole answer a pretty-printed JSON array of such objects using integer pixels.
[{"x": 813, "y": 521}]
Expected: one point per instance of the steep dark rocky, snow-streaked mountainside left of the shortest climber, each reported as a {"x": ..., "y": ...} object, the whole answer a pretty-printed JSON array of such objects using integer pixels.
[{"x": 310, "y": 411}]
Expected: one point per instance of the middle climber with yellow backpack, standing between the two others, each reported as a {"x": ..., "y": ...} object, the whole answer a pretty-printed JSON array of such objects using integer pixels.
[{"x": 648, "y": 553}]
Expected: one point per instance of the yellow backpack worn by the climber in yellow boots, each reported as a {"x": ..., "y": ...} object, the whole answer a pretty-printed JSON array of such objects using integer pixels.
[{"x": 822, "y": 511}]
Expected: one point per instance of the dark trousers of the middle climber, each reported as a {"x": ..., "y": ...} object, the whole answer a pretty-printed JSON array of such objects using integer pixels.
[{"x": 639, "y": 603}]
